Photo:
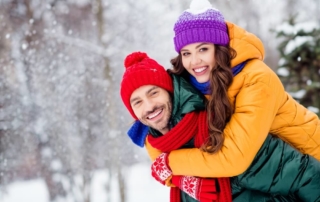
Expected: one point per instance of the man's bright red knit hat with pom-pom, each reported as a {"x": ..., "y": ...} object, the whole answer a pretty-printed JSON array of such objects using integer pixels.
[{"x": 142, "y": 70}]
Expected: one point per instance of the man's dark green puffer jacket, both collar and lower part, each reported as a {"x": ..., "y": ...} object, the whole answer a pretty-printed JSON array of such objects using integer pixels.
[{"x": 278, "y": 173}]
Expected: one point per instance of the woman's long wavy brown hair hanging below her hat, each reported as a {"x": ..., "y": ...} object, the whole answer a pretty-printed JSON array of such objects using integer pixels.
[{"x": 219, "y": 108}]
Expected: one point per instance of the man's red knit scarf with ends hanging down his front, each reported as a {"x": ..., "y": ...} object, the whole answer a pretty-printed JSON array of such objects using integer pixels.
[{"x": 193, "y": 124}]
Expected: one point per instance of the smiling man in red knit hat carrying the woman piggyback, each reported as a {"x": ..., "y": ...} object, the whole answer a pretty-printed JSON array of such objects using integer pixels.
[{"x": 175, "y": 113}]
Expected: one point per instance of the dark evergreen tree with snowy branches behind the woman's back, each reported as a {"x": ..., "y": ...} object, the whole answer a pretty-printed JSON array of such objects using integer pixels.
[{"x": 299, "y": 66}]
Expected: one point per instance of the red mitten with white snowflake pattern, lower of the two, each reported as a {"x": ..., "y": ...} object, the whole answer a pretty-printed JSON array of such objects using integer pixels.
[{"x": 201, "y": 189}]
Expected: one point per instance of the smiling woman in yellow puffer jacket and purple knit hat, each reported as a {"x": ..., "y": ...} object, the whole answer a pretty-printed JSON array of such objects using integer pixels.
[{"x": 246, "y": 107}]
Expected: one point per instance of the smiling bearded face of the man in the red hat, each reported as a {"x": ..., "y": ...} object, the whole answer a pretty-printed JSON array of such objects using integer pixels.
[{"x": 152, "y": 105}]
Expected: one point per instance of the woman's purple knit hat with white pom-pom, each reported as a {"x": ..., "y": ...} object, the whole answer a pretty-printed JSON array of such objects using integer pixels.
[{"x": 200, "y": 23}]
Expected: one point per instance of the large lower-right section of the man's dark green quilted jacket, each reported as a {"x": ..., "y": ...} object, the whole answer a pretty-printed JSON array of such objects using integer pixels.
[{"x": 280, "y": 169}]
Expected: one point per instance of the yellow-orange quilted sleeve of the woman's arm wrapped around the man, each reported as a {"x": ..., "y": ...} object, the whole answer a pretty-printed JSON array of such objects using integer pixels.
[{"x": 256, "y": 105}]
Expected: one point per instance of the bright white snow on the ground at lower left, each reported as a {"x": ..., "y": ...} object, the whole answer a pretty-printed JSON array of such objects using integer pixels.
[{"x": 141, "y": 187}]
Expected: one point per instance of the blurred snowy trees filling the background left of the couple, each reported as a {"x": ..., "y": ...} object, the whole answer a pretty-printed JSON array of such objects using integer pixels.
[{"x": 61, "y": 115}]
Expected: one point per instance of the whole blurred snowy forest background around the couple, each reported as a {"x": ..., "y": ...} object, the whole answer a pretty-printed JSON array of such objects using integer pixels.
[{"x": 61, "y": 62}]
